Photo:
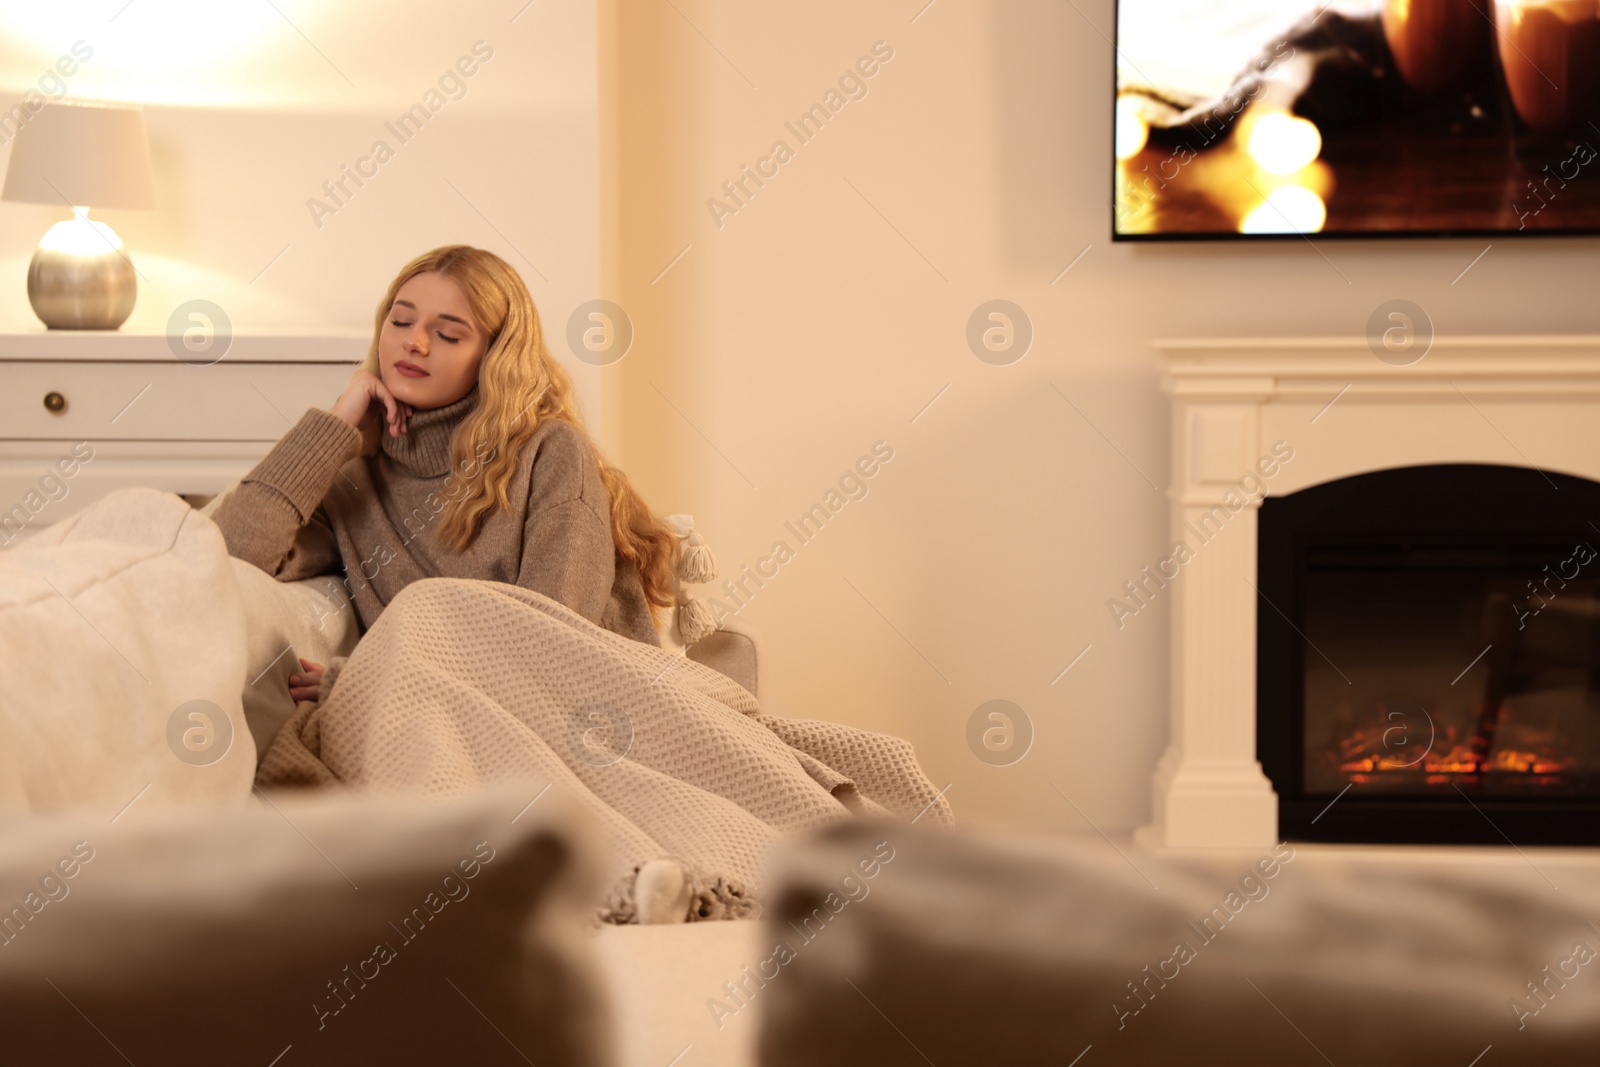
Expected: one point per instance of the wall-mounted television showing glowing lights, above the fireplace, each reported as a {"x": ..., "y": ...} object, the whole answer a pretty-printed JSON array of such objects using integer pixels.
[{"x": 1356, "y": 119}]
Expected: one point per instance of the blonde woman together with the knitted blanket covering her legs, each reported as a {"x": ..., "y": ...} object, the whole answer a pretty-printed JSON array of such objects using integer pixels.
[{"x": 455, "y": 455}]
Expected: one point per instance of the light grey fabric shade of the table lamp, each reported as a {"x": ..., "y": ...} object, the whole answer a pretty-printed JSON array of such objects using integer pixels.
[{"x": 82, "y": 154}]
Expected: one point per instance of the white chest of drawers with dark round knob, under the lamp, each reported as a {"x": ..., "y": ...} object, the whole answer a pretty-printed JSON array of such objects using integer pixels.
[{"x": 84, "y": 414}]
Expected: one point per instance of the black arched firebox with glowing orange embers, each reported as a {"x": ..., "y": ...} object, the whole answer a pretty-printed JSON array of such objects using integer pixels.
[{"x": 1430, "y": 657}]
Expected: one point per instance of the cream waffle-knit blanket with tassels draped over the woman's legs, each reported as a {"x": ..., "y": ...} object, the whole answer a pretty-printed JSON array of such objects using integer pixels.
[{"x": 463, "y": 684}]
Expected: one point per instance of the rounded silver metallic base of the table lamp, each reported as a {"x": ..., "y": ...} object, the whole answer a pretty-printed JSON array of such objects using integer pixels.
[{"x": 81, "y": 279}]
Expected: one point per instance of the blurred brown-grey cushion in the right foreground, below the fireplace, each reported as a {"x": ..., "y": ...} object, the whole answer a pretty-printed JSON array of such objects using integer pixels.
[{"x": 898, "y": 945}]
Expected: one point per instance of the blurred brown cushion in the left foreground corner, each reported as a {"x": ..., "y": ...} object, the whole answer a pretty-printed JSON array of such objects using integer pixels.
[{"x": 319, "y": 930}]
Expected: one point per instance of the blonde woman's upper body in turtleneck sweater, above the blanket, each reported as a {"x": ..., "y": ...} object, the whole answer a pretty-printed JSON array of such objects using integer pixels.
[{"x": 455, "y": 452}]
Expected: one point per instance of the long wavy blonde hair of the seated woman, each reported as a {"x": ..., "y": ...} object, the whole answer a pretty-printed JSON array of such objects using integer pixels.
[{"x": 519, "y": 388}]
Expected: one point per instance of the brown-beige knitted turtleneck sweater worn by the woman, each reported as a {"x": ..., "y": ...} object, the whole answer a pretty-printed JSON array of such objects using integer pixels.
[{"x": 314, "y": 506}]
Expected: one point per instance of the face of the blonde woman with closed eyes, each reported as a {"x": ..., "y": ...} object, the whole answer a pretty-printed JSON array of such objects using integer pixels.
[{"x": 431, "y": 345}]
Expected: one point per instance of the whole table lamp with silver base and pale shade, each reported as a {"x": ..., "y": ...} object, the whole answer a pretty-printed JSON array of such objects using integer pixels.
[{"x": 82, "y": 156}]
